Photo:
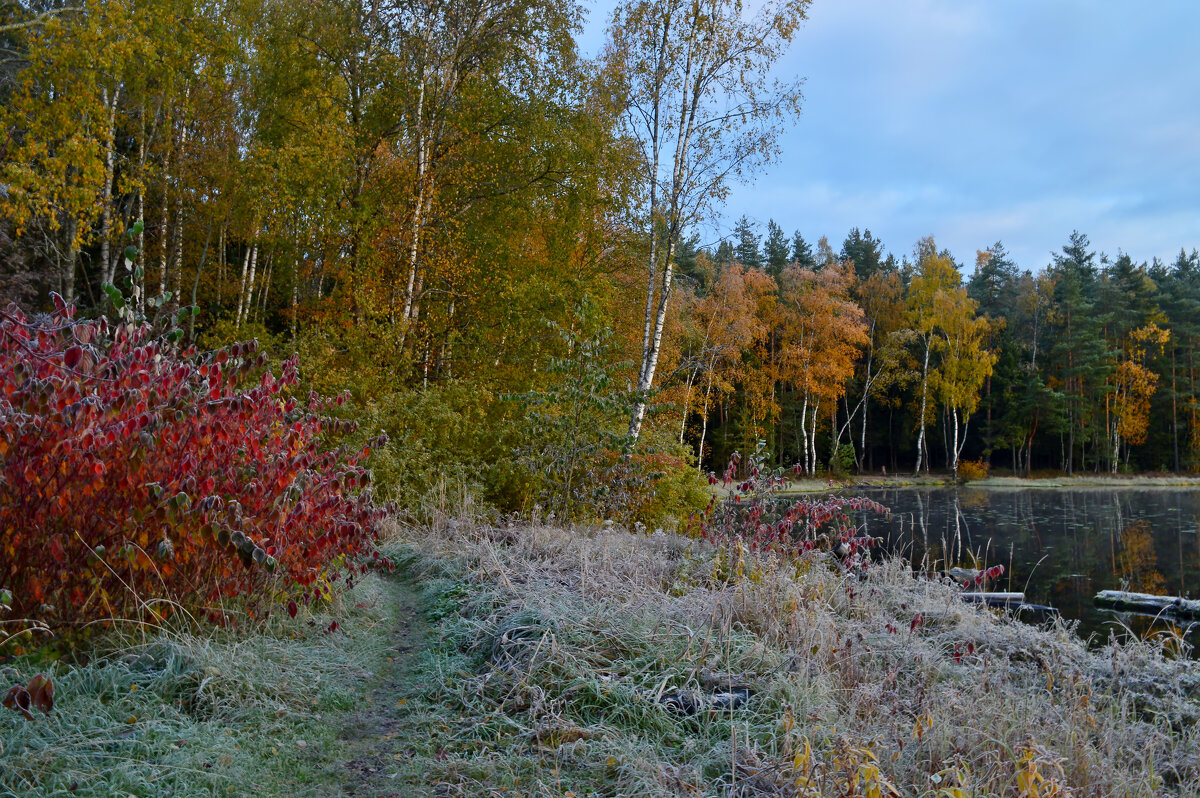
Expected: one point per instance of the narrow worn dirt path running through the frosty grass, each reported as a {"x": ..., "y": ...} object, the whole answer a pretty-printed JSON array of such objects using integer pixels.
[{"x": 377, "y": 754}]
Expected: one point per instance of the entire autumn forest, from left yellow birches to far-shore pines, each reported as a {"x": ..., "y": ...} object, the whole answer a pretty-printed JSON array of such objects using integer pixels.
[{"x": 485, "y": 238}]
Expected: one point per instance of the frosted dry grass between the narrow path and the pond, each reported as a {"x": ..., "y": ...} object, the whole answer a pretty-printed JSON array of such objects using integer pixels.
[{"x": 561, "y": 646}]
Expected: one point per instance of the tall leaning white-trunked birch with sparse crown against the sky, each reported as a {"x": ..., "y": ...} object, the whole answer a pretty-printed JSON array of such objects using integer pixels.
[{"x": 703, "y": 111}]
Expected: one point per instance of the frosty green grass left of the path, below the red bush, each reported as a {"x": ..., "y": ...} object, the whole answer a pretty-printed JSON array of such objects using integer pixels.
[{"x": 220, "y": 715}]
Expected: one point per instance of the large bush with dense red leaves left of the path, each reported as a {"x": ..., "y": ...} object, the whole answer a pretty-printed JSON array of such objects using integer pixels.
[{"x": 139, "y": 477}]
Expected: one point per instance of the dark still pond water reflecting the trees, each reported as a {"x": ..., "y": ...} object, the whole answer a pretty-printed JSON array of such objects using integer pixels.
[{"x": 1058, "y": 547}]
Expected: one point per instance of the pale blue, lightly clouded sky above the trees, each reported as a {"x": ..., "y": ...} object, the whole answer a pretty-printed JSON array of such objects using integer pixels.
[{"x": 987, "y": 121}]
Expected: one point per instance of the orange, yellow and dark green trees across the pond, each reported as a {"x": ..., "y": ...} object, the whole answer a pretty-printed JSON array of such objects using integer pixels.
[{"x": 1085, "y": 365}]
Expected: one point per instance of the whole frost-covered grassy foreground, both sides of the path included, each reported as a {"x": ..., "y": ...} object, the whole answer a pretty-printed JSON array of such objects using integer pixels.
[{"x": 598, "y": 663}]
